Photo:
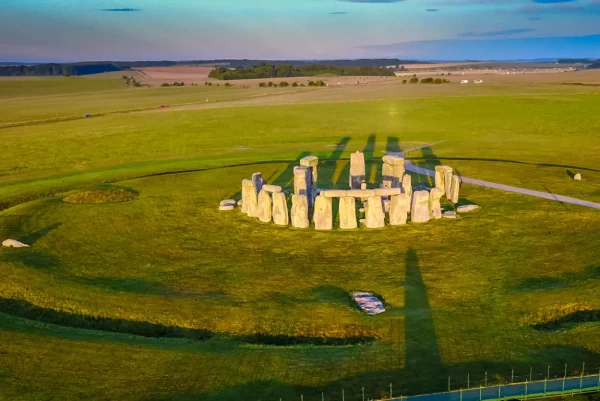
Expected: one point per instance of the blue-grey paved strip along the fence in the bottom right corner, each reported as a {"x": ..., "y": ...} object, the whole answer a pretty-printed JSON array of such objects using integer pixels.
[{"x": 519, "y": 390}]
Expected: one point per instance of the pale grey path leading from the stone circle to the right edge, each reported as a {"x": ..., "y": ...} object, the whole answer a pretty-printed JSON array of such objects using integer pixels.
[{"x": 507, "y": 188}]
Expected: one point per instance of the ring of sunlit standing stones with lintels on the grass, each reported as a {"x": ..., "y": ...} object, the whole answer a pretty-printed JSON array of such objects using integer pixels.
[{"x": 391, "y": 203}]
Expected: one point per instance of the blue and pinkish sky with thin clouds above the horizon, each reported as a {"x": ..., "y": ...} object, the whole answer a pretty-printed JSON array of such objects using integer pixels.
[{"x": 95, "y": 30}]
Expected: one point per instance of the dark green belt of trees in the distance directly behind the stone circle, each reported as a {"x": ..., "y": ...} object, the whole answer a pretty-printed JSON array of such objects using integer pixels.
[{"x": 288, "y": 70}]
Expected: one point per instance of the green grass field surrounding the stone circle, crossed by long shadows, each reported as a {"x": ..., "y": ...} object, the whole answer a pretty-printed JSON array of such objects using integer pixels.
[{"x": 159, "y": 296}]
